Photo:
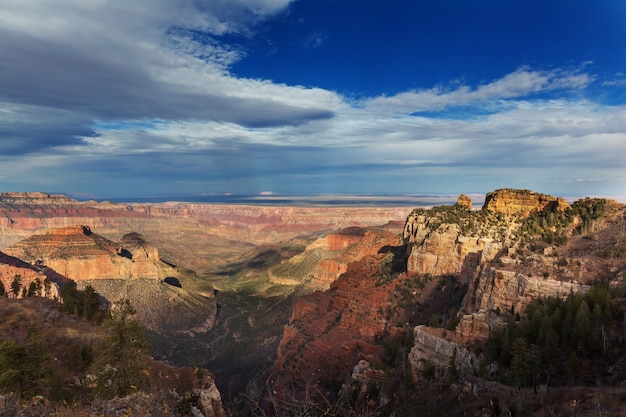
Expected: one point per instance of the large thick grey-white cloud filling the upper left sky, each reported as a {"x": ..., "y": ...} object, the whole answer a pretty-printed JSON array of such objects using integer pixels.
[{"x": 143, "y": 59}]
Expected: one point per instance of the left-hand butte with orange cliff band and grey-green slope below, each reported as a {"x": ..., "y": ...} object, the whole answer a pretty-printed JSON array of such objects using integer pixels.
[{"x": 130, "y": 269}]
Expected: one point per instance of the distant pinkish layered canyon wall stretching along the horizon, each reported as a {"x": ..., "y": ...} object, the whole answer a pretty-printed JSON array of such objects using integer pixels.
[{"x": 196, "y": 236}]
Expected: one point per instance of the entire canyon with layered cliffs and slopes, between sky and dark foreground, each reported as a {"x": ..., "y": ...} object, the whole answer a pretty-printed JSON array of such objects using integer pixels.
[{"x": 275, "y": 298}]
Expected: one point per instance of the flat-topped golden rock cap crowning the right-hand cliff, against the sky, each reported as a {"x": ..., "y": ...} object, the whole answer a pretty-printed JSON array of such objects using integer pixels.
[{"x": 521, "y": 202}]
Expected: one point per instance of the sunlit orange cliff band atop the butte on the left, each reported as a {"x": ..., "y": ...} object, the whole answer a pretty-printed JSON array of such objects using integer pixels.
[{"x": 79, "y": 254}]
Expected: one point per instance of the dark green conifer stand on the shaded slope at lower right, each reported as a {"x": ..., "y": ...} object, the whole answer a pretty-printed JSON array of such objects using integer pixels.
[{"x": 580, "y": 337}]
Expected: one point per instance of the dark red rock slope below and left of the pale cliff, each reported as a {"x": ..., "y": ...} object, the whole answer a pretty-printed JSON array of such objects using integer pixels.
[{"x": 330, "y": 331}]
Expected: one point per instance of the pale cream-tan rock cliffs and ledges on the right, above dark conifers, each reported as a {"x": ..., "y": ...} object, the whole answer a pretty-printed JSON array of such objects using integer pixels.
[{"x": 505, "y": 278}]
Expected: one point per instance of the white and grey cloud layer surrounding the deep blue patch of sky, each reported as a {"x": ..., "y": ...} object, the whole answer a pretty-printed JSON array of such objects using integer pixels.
[{"x": 128, "y": 98}]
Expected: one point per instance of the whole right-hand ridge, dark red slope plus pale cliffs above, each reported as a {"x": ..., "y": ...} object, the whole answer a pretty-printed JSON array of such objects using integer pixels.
[{"x": 521, "y": 246}]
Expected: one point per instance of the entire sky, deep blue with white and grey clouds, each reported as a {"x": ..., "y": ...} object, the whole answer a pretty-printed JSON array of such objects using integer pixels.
[{"x": 123, "y": 99}]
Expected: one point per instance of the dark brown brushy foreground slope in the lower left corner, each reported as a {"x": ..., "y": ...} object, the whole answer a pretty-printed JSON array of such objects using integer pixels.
[{"x": 54, "y": 351}]
